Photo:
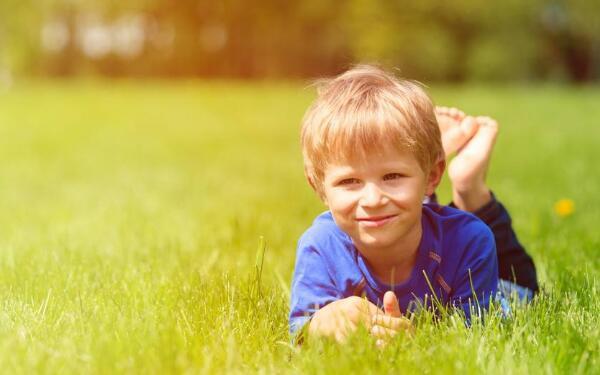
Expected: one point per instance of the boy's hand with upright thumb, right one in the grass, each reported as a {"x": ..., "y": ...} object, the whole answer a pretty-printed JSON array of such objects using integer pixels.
[{"x": 387, "y": 325}]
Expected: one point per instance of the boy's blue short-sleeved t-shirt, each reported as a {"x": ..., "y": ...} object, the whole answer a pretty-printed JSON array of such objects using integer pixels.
[{"x": 456, "y": 256}]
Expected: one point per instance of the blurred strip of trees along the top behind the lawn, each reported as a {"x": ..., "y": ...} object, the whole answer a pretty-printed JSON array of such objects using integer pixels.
[{"x": 450, "y": 41}]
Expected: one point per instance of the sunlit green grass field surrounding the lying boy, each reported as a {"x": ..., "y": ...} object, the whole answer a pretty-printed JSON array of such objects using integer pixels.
[{"x": 131, "y": 216}]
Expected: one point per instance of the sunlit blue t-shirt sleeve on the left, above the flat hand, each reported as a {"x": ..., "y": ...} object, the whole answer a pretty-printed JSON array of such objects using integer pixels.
[{"x": 312, "y": 286}]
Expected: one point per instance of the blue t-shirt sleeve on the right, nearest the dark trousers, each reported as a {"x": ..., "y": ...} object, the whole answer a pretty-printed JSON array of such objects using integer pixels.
[{"x": 477, "y": 278}]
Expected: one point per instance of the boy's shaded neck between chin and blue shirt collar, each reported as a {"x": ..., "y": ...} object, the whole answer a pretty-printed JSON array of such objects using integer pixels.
[{"x": 394, "y": 265}]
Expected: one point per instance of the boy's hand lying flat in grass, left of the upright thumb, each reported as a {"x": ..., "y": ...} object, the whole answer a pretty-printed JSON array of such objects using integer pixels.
[{"x": 340, "y": 318}]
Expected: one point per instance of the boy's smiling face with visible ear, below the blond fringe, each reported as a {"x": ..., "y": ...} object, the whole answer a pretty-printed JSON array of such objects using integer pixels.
[{"x": 378, "y": 201}]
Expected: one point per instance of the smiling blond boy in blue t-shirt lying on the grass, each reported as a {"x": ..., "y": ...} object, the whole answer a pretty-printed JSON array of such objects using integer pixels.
[{"x": 373, "y": 151}]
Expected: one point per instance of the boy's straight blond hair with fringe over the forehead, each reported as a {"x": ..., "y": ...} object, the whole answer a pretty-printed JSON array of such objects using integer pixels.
[{"x": 362, "y": 111}]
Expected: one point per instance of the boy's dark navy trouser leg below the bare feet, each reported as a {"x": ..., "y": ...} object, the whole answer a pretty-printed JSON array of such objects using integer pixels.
[{"x": 514, "y": 264}]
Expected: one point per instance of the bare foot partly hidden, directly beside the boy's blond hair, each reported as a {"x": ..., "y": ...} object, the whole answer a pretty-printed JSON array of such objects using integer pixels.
[{"x": 455, "y": 131}]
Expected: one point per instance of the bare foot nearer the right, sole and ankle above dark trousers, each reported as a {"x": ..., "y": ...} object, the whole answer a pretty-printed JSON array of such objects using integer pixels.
[{"x": 467, "y": 171}]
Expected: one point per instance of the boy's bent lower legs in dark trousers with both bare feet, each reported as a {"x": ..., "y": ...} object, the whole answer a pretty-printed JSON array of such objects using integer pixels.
[{"x": 473, "y": 139}]
